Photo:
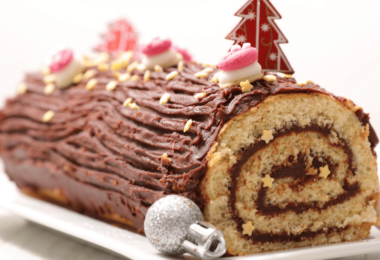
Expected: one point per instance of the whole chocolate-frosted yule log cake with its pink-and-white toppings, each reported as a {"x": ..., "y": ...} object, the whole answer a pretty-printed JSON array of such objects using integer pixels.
[{"x": 273, "y": 163}]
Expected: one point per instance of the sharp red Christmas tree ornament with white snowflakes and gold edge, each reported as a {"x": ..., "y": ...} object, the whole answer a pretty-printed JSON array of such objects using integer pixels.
[{"x": 258, "y": 28}]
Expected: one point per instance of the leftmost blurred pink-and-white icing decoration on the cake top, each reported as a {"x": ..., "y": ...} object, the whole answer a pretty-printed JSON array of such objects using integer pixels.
[{"x": 64, "y": 67}]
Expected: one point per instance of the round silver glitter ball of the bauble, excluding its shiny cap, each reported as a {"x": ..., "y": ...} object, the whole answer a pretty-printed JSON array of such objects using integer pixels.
[{"x": 167, "y": 223}]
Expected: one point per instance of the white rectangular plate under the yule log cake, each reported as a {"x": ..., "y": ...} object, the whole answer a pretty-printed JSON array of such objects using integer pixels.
[{"x": 135, "y": 246}]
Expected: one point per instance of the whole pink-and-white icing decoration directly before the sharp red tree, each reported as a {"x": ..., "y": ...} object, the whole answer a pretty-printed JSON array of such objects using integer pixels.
[{"x": 240, "y": 64}]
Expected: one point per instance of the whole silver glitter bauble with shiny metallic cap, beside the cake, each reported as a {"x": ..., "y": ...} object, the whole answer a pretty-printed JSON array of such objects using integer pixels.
[{"x": 174, "y": 225}]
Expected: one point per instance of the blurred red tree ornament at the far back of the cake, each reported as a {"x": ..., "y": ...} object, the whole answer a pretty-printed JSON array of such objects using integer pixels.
[{"x": 120, "y": 37}]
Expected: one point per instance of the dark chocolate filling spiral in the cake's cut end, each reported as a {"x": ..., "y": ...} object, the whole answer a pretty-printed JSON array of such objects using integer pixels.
[{"x": 295, "y": 168}]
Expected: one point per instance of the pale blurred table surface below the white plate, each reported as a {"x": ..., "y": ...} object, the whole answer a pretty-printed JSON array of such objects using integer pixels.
[{"x": 21, "y": 239}]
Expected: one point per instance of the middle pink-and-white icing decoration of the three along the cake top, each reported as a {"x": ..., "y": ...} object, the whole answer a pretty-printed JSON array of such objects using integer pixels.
[{"x": 159, "y": 52}]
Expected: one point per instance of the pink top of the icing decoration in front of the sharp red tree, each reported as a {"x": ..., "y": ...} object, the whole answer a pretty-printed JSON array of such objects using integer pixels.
[{"x": 238, "y": 58}]
